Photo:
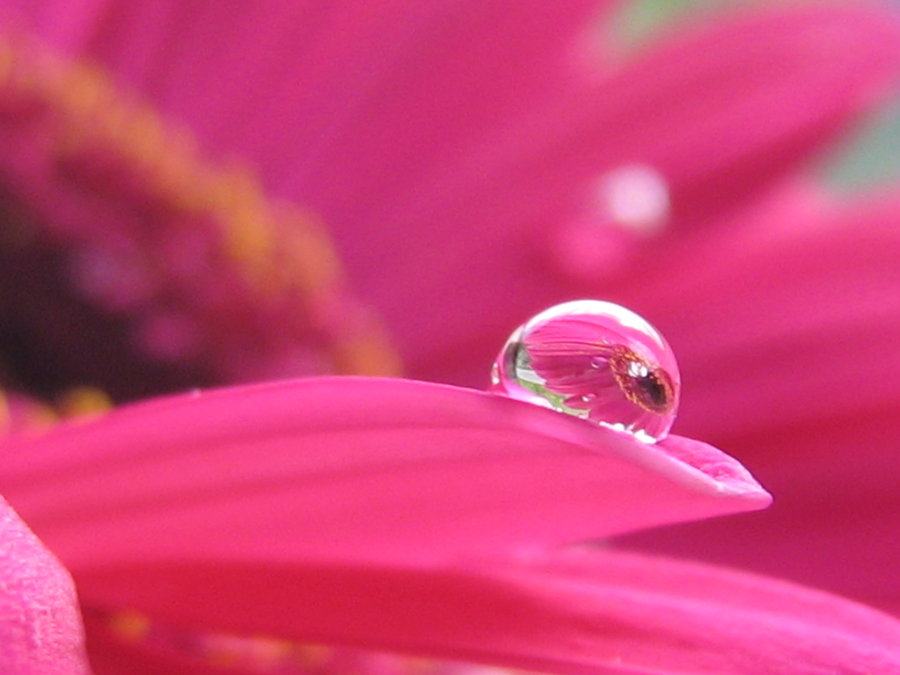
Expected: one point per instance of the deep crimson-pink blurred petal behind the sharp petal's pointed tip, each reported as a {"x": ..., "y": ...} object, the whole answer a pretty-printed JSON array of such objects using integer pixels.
[{"x": 835, "y": 522}]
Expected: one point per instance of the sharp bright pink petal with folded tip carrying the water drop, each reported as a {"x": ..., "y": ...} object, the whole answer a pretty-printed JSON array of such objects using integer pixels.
[{"x": 351, "y": 467}]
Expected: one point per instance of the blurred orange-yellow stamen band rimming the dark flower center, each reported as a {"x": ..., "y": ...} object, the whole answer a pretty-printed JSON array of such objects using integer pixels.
[{"x": 282, "y": 252}]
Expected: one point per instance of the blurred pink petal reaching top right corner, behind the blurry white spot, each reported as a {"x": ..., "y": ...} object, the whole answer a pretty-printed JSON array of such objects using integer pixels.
[{"x": 718, "y": 131}]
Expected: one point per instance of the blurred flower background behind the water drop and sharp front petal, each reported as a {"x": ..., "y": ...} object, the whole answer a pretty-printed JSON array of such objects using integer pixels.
[{"x": 196, "y": 193}]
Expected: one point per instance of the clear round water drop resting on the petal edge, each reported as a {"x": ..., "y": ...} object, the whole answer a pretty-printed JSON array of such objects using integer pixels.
[{"x": 595, "y": 360}]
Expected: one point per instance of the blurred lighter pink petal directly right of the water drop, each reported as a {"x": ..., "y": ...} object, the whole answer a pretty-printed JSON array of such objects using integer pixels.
[{"x": 803, "y": 309}]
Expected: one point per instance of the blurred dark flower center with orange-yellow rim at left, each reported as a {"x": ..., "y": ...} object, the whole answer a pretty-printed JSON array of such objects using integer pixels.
[{"x": 131, "y": 264}]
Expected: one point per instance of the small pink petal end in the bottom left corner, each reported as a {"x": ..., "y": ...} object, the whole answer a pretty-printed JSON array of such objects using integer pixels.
[{"x": 40, "y": 627}]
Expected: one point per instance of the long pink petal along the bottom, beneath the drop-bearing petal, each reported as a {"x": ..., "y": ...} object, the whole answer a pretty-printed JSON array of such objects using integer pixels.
[{"x": 575, "y": 612}]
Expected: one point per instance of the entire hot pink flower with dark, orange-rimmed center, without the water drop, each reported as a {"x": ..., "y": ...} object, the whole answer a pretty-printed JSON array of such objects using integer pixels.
[{"x": 473, "y": 164}]
